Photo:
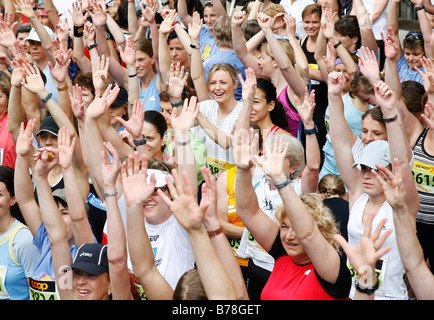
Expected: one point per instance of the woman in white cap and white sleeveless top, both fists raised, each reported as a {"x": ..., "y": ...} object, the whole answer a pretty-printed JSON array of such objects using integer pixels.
[{"x": 366, "y": 194}]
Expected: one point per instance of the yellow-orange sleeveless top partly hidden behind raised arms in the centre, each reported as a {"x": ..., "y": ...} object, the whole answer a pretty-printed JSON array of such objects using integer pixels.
[{"x": 233, "y": 217}]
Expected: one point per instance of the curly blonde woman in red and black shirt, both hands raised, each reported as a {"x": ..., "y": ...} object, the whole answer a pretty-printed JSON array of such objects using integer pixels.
[{"x": 308, "y": 265}]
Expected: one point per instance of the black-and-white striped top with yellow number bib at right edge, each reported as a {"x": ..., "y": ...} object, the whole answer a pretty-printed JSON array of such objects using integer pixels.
[{"x": 423, "y": 174}]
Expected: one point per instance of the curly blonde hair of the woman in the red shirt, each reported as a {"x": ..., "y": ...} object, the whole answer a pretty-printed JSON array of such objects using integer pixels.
[{"x": 321, "y": 214}]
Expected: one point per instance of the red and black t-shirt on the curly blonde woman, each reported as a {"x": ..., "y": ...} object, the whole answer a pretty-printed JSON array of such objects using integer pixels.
[{"x": 290, "y": 281}]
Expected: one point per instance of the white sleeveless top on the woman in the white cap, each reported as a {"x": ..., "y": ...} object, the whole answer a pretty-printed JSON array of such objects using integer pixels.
[{"x": 389, "y": 267}]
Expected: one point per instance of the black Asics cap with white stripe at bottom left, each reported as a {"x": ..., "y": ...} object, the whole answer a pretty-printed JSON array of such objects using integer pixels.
[{"x": 91, "y": 258}]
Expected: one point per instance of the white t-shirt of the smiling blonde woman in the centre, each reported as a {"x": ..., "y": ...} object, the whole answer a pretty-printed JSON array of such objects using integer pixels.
[{"x": 218, "y": 158}]
